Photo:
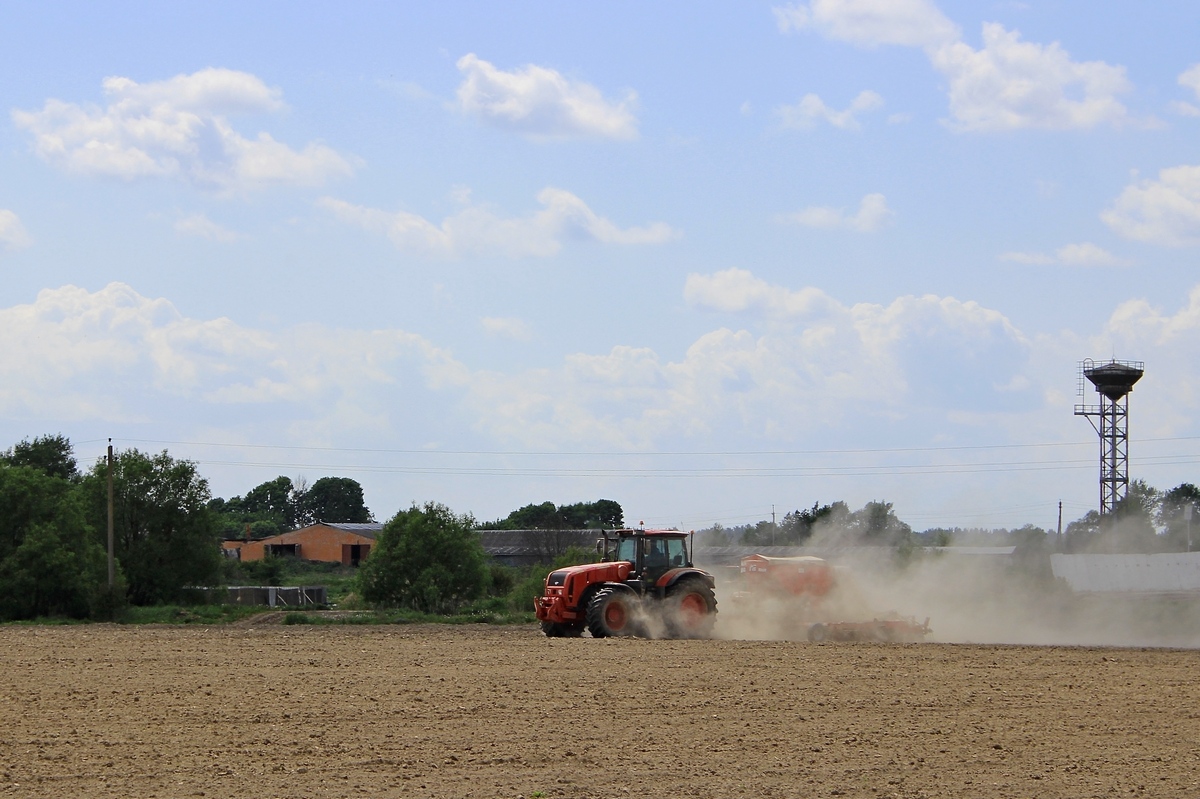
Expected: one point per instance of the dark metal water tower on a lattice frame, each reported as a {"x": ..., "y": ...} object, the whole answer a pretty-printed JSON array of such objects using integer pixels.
[{"x": 1114, "y": 382}]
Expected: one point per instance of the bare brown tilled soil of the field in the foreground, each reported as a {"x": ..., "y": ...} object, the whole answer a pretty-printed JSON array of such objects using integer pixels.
[{"x": 503, "y": 712}]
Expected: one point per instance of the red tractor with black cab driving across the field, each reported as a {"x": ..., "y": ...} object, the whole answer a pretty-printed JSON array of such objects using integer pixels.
[{"x": 645, "y": 586}]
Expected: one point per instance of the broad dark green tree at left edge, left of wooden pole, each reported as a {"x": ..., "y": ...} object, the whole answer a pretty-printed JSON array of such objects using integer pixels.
[{"x": 51, "y": 563}]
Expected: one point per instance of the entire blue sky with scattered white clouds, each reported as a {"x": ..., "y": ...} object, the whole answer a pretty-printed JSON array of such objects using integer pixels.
[{"x": 711, "y": 261}]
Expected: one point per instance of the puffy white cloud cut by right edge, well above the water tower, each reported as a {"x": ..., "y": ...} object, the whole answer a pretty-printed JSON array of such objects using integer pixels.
[{"x": 1165, "y": 212}]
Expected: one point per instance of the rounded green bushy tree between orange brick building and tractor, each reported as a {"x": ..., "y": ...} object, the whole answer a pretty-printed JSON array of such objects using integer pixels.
[{"x": 425, "y": 558}]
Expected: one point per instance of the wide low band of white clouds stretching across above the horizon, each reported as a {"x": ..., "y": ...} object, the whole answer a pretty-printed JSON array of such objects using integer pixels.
[{"x": 794, "y": 364}]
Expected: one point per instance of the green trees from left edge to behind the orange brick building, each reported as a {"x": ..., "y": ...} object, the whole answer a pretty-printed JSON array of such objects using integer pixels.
[{"x": 167, "y": 527}]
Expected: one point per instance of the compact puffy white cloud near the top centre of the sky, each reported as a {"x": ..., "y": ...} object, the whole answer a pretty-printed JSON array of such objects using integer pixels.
[{"x": 542, "y": 104}]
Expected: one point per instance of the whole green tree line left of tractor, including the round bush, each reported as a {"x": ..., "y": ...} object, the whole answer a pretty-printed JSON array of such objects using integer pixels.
[{"x": 169, "y": 528}]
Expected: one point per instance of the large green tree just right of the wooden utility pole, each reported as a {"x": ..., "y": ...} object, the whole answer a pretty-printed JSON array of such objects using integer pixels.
[{"x": 166, "y": 537}]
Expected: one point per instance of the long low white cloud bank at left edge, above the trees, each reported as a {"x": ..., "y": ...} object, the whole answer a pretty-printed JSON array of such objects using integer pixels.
[{"x": 116, "y": 355}]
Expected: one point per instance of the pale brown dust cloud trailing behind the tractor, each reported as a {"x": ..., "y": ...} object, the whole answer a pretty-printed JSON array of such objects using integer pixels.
[{"x": 987, "y": 599}]
